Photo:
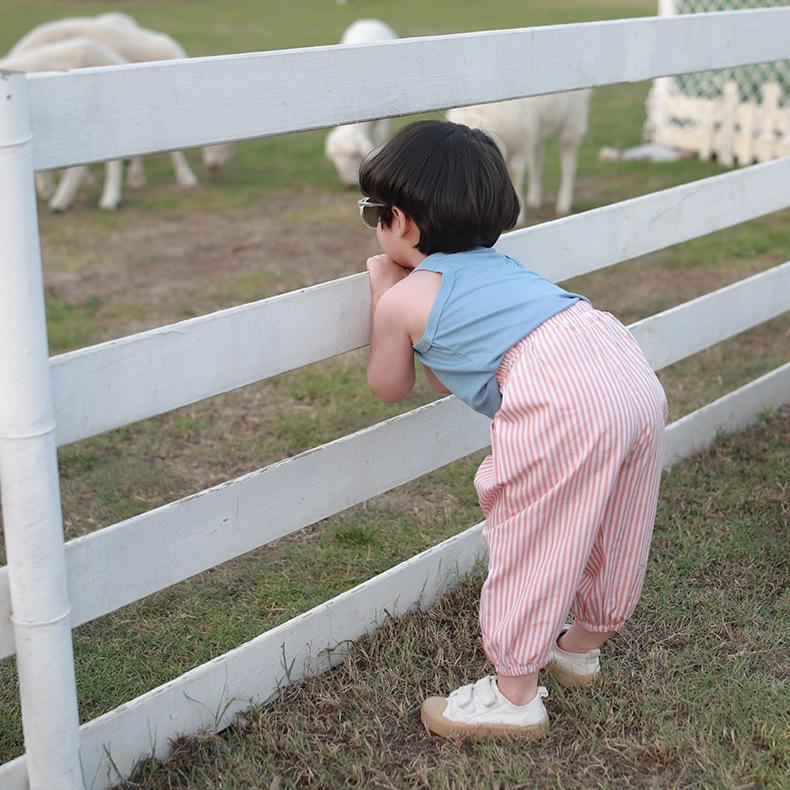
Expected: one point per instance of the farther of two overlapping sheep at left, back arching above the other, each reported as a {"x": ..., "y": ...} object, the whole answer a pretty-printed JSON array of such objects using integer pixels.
[{"x": 136, "y": 45}]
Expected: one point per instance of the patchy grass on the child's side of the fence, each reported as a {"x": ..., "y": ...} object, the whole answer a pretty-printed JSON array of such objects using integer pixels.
[{"x": 694, "y": 691}]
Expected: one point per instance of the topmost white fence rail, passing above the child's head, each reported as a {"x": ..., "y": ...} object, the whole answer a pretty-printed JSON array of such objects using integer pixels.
[{"x": 138, "y": 109}]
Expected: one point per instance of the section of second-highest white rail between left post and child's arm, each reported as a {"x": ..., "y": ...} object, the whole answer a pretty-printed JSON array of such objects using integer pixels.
[{"x": 111, "y": 384}]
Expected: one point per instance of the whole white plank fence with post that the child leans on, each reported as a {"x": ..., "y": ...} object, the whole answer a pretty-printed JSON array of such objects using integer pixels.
[{"x": 48, "y": 588}]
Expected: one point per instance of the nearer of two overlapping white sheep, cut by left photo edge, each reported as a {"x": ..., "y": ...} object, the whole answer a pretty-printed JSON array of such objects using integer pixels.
[{"x": 72, "y": 54}]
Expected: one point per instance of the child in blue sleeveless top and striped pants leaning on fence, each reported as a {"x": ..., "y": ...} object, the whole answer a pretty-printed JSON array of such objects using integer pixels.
[{"x": 570, "y": 488}]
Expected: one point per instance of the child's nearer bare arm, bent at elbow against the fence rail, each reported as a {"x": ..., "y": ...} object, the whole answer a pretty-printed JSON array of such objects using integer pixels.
[{"x": 391, "y": 357}]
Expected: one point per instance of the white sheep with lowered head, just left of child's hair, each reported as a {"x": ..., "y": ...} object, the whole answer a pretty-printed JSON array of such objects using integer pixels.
[{"x": 346, "y": 146}]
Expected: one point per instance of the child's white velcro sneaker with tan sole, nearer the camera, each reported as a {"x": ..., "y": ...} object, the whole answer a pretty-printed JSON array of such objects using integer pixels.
[{"x": 479, "y": 710}]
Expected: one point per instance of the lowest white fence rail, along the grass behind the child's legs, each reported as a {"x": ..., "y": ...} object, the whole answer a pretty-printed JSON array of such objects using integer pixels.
[{"x": 209, "y": 696}]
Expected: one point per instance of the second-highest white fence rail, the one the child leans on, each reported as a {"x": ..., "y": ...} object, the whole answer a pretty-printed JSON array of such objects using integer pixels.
[{"x": 108, "y": 385}]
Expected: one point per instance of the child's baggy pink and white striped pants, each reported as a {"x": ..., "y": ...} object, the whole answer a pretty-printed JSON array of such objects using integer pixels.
[{"x": 570, "y": 488}]
